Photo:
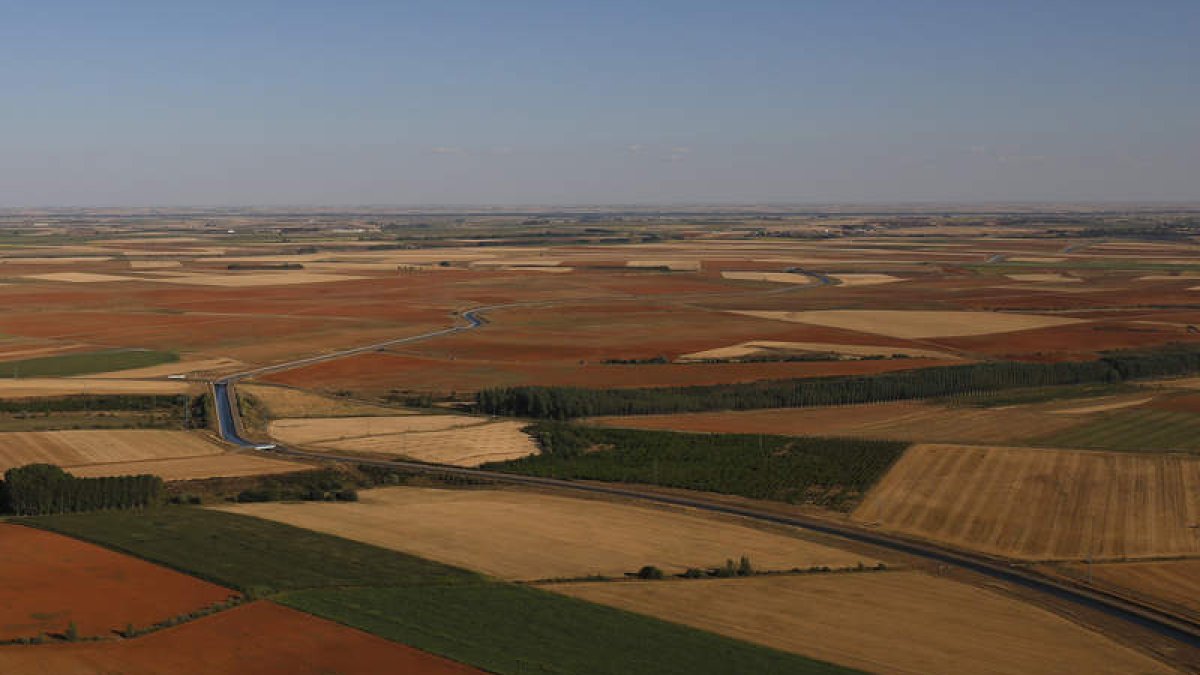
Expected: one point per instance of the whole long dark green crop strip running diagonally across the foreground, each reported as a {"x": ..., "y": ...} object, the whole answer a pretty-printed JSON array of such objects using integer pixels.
[{"x": 495, "y": 626}]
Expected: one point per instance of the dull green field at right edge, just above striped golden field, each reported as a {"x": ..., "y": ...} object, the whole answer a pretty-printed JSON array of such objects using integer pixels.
[{"x": 1136, "y": 431}]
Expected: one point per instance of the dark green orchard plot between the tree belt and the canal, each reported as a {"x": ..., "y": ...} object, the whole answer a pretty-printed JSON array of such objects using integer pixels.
[{"x": 826, "y": 471}]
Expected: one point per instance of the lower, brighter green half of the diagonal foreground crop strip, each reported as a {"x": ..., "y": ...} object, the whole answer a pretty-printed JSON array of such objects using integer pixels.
[{"x": 509, "y": 629}]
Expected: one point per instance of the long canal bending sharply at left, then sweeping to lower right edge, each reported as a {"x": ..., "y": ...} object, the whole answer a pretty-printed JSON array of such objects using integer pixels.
[{"x": 1127, "y": 610}]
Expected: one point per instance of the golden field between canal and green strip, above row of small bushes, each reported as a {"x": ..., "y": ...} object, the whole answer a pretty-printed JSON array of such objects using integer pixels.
[{"x": 518, "y": 535}]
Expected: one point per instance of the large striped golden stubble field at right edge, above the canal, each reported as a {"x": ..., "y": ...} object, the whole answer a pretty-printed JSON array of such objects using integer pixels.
[{"x": 1042, "y": 504}]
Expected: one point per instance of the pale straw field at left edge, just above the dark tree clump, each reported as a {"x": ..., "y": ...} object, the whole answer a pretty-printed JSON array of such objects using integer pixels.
[{"x": 75, "y": 449}]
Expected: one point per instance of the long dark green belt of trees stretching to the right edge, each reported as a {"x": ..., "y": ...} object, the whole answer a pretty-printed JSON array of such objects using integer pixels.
[{"x": 568, "y": 403}]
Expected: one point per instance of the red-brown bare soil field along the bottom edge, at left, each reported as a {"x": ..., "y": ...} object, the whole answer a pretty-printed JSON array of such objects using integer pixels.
[{"x": 261, "y": 638}]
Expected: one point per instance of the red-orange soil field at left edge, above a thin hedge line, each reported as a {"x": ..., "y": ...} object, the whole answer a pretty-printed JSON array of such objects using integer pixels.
[{"x": 49, "y": 582}]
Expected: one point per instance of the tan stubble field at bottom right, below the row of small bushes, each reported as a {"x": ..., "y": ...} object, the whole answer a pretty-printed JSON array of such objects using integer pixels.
[{"x": 902, "y": 623}]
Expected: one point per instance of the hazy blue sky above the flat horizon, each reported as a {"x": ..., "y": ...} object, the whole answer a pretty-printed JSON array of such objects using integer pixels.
[{"x": 459, "y": 103}]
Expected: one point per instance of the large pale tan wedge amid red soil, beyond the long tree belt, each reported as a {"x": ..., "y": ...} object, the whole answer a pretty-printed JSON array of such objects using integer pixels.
[{"x": 917, "y": 325}]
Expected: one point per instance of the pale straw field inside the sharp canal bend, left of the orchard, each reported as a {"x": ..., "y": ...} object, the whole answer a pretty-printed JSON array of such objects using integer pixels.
[{"x": 443, "y": 439}]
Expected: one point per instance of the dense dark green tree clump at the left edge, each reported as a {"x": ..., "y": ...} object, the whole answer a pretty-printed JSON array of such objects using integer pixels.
[{"x": 40, "y": 489}]
